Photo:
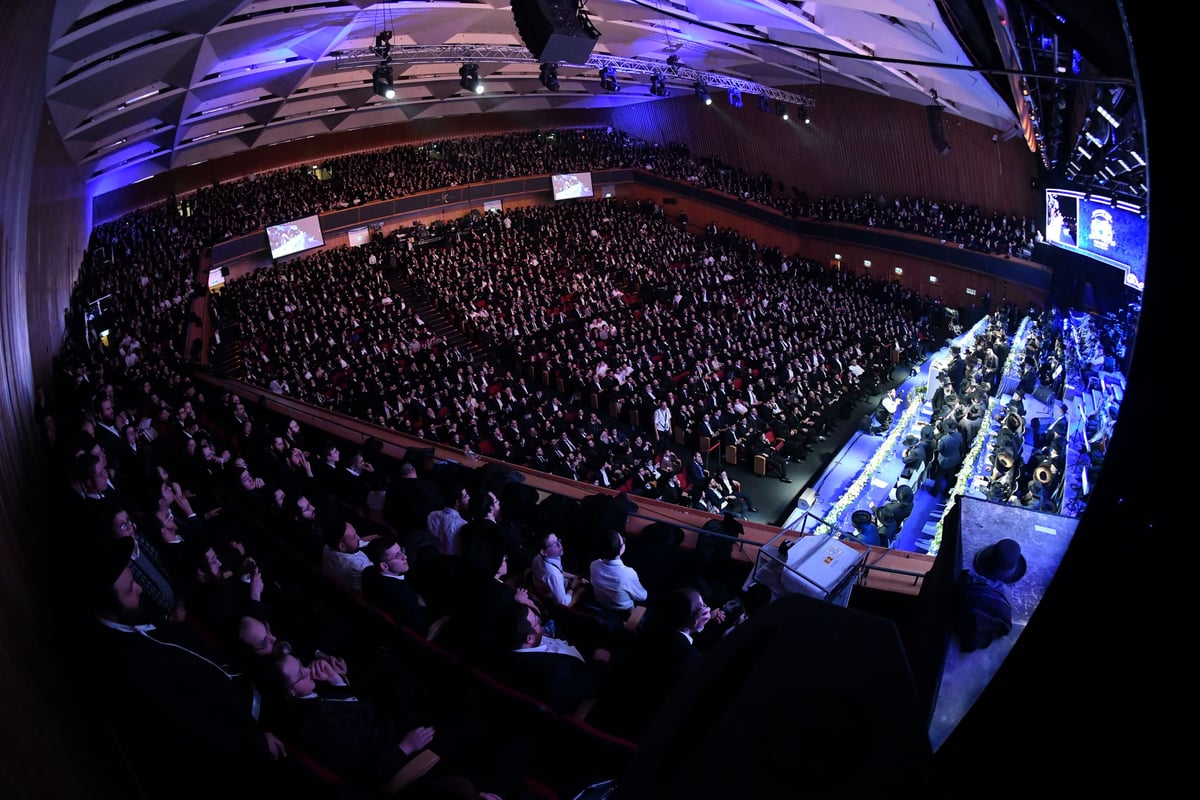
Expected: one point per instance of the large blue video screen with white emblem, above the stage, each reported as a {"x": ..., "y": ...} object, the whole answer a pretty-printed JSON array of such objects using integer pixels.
[{"x": 1111, "y": 232}]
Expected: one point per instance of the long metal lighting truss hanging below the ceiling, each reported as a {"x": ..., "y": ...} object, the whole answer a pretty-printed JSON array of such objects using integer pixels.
[{"x": 679, "y": 74}]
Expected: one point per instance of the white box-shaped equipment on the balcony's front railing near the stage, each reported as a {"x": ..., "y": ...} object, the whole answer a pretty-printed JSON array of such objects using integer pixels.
[{"x": 815, "y": 566}]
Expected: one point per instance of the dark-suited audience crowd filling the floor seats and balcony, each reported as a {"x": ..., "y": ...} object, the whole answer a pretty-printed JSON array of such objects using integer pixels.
[{"x": 206, "y": 527}]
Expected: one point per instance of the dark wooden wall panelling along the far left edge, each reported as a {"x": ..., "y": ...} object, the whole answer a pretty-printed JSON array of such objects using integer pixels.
[{"x": 51, "y": 750}]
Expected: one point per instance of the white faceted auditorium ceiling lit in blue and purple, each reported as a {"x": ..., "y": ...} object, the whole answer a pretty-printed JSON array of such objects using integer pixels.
[{"x": 141, "y": 87}]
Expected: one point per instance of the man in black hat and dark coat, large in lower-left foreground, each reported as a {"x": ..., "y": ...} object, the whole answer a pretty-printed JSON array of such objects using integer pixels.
[{"x": 188, "y": 726}]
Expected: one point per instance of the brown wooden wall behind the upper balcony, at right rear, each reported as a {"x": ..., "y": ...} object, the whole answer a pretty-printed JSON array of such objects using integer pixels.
[{"x": 857, "y": 145}]
